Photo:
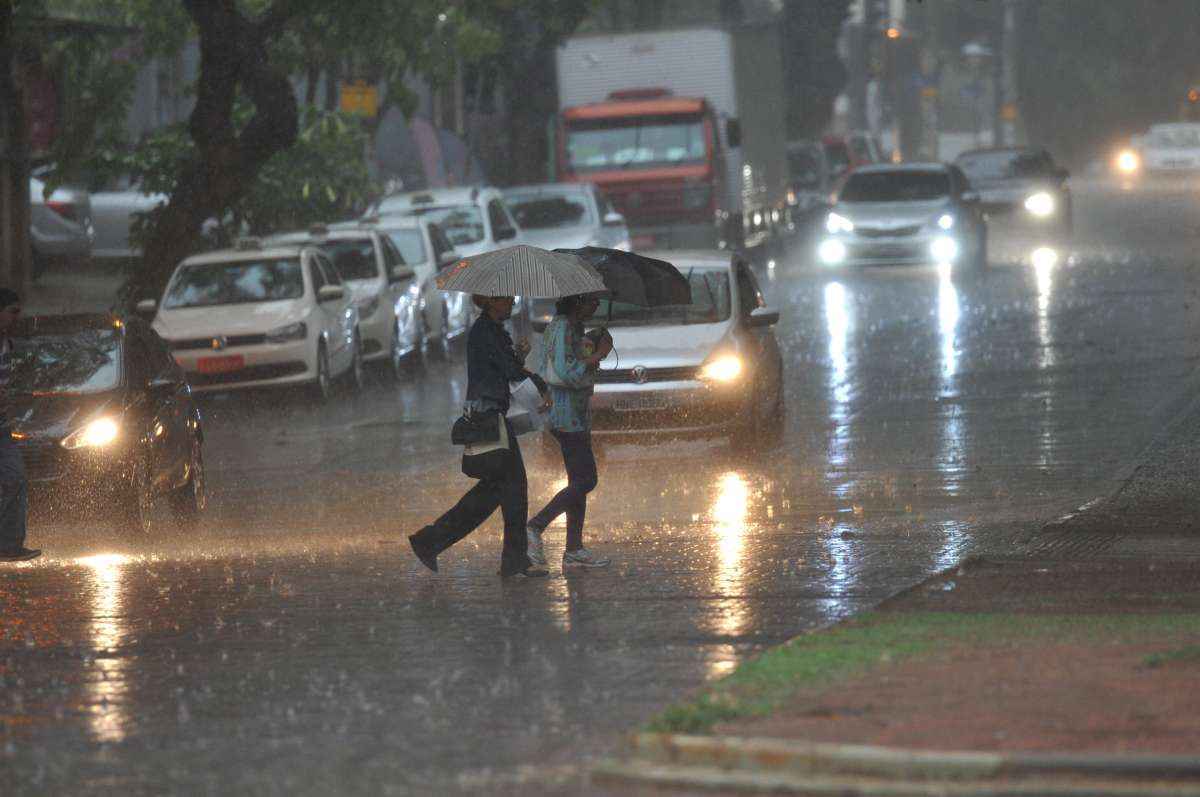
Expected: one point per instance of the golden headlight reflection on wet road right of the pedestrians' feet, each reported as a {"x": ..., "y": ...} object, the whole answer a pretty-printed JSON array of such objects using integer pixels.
[{"x": 729, "y": 514}]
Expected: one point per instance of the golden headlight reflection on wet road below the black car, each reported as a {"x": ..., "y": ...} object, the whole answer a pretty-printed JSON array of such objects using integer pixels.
[{"x": 107, "y": 686}]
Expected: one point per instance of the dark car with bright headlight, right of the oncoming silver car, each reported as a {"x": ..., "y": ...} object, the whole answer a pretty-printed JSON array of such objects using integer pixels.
[{"x": 1021, "y": 181}]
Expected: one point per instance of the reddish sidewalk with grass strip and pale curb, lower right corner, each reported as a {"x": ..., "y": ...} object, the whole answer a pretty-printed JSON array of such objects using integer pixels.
[{"x": 1070, "y": 667}]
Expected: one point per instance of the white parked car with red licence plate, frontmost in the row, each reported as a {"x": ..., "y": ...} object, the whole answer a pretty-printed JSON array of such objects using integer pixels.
[{"x": 259, "y": 316}]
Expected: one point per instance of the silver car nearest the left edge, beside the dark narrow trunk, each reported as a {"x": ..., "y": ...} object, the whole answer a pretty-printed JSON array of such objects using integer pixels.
[{"x": 61, "y": 229}]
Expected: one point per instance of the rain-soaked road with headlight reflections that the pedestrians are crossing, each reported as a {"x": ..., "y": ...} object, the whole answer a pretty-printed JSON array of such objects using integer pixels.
[{"x": 296, "y": 646}]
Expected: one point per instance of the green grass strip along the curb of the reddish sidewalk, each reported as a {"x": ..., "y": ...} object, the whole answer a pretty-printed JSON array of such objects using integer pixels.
[{"x": 880, "y": 639}]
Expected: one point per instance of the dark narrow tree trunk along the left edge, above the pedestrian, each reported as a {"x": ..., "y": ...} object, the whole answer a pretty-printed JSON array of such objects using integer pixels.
[{"x": 15, "y": 251}]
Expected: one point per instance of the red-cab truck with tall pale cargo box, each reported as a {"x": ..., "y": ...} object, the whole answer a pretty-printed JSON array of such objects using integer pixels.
[{"x": 683, "y": 130}]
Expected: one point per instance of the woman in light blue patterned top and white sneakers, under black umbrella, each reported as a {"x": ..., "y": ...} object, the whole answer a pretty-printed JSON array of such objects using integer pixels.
[{"x": 569, "y": 364}]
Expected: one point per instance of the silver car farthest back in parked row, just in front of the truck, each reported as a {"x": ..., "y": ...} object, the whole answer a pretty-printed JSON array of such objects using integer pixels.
[{"x": 567, "y": 215}]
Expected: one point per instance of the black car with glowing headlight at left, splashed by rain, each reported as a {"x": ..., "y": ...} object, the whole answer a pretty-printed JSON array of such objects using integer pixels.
[{"x": 105, "y": 418}]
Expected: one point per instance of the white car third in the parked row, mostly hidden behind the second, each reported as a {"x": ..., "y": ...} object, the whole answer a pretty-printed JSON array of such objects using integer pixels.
[{"x": 427, "y": 249}]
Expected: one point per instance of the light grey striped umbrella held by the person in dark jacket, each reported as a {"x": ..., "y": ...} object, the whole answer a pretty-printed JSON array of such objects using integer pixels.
[{"x": 523, "y": 272}]
